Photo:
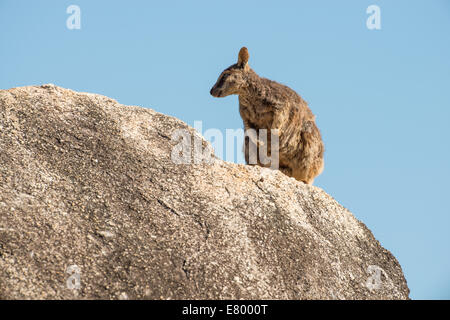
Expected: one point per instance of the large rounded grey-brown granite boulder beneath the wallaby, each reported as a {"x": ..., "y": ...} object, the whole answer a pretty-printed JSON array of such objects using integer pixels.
[{"x": 93, "y": 207}]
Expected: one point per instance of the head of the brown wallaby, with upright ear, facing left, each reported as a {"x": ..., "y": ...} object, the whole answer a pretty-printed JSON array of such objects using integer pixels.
[{"x": 234, "y": 78}]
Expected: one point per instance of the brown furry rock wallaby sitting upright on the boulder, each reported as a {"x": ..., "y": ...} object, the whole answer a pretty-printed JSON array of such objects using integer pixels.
[{"x": 266, "y": 104}]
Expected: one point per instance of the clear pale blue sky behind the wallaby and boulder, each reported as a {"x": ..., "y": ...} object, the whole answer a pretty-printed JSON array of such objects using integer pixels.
[{"x": 381, "y": 97}]
